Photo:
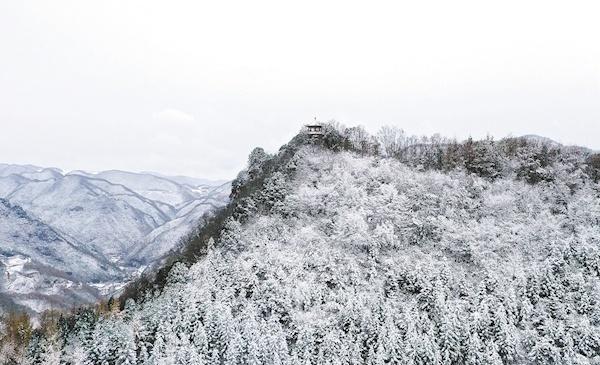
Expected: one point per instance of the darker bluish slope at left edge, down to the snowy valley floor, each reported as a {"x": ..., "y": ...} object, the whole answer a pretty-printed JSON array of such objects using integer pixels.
[{"x": 40, "y": 266}]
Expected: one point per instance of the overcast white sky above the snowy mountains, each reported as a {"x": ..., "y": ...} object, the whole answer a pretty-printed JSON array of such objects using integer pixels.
[{"x": 191, "y": 87}]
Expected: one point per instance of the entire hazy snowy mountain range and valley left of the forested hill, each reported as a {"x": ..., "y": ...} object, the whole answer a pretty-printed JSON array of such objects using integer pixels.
[{"x": 69, "y": 238}]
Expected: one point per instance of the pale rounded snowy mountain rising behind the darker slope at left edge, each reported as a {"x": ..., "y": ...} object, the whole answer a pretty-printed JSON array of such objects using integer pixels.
[{"x": 104, "y": 217}]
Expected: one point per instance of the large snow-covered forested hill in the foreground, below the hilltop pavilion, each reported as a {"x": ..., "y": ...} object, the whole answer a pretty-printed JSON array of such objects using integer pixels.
[{"x": 359, "y": 249}]
